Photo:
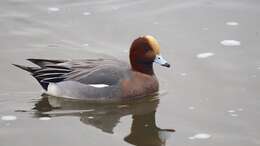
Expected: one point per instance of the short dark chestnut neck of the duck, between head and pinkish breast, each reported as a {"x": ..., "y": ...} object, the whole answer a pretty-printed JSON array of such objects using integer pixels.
[{"x": 143, "y": 68}]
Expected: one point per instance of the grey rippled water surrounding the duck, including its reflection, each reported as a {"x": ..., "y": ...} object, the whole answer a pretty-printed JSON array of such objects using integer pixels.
[{"x": 209, "y": 97}]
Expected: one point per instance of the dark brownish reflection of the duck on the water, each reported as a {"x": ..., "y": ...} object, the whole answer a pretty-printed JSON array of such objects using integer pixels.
[{"x": 105, "y": 117}]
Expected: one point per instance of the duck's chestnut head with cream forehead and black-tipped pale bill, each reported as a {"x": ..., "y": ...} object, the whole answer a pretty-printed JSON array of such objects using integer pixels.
[{"x": 144, "y": 52}]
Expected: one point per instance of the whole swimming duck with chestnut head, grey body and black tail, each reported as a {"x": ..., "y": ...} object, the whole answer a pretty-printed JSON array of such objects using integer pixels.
[{"x": 102, "y": 80}]
